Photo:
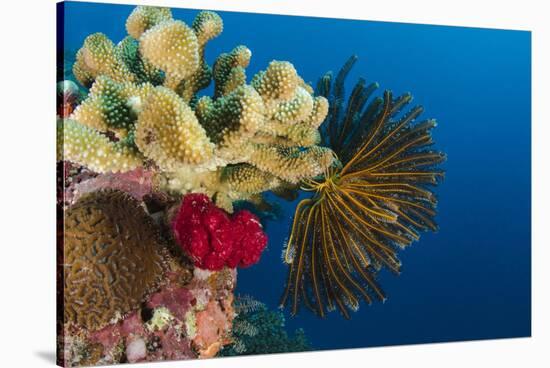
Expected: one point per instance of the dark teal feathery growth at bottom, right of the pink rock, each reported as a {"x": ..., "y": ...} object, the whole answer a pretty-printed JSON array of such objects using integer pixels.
[{"x": 257, "y": 330}]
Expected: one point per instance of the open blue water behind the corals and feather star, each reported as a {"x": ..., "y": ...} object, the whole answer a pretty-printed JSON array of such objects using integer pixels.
[{"x": 471, "y": 280}]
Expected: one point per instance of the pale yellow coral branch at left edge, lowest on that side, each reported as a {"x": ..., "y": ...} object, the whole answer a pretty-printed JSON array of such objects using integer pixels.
[{"x": 86, "y": 146}]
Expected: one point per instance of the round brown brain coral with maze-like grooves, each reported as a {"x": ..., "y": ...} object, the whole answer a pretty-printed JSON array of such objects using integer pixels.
[{"x": 113, "y": 258}]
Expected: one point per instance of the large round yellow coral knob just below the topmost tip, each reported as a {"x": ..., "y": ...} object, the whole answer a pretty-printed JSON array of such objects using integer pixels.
[{"x": 173, "y": 47}]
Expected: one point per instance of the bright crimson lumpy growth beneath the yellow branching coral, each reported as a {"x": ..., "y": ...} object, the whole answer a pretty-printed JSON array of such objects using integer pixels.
[{"x": 213, "y": 239}]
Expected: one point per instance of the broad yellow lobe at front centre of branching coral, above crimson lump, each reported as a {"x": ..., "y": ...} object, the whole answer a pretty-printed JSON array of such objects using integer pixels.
[{"x": 168, "y": 132}]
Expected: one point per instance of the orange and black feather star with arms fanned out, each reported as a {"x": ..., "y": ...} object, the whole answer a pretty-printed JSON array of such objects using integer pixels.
[{"x": 373, "y": 202}]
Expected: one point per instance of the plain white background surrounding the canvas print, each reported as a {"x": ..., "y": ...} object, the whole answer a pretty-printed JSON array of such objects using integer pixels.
[{"x": 27, "y": 179}]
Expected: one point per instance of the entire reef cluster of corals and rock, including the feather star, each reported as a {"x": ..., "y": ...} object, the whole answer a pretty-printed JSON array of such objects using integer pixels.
[{"x": 158, "y": 185}]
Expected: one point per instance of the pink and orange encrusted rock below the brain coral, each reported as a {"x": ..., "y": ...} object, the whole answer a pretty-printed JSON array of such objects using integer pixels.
[{"x": 189, "y": 317}]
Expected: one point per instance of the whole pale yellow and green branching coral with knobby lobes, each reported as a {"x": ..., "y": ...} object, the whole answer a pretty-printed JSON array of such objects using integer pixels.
[{"x": 266, "y": 130}]
